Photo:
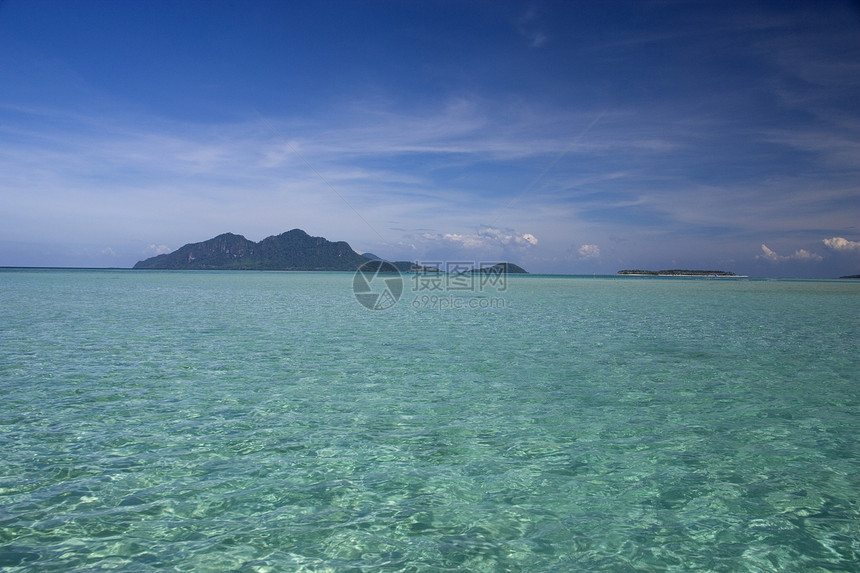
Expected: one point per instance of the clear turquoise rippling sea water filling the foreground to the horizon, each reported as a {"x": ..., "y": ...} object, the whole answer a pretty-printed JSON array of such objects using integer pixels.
[{"x": 236, "y": 421}]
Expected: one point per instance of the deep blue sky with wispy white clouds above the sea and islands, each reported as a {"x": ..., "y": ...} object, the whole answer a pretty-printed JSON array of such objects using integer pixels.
[{"x": 568, "y": 137}]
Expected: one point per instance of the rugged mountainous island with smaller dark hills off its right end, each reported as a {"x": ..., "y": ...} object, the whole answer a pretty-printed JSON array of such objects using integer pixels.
[{"x": 291, "y": 251}]
